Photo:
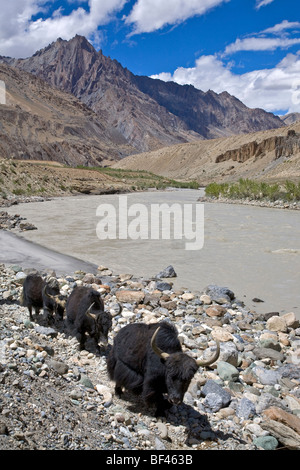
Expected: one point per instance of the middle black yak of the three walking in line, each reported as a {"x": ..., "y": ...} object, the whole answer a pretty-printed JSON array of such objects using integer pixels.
[{"x": 86, "y": 314}]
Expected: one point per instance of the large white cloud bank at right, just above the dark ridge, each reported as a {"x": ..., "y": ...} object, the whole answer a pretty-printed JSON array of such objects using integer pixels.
[{"x": 271, "y": 89}]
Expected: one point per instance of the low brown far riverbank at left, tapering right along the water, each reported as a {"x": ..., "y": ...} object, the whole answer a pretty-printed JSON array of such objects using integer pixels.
[{"x": 36, "y": 180}]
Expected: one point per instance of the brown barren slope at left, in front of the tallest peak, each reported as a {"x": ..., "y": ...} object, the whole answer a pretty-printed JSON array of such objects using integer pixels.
[{"x": 39, "y": 122}]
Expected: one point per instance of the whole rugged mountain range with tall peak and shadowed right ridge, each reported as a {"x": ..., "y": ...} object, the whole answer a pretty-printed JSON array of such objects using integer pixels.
[{"x": 144, "y": 113}]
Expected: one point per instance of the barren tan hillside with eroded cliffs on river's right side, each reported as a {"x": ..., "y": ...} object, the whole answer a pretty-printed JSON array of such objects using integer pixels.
[{"x": 268, "y": 155}]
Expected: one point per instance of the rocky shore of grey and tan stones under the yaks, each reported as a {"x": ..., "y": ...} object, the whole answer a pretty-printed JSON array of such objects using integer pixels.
[{"x": 55, "y": 397}]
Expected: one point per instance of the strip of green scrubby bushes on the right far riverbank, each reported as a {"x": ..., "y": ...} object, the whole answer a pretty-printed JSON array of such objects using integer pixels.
[{"x": 257, "y": 190}]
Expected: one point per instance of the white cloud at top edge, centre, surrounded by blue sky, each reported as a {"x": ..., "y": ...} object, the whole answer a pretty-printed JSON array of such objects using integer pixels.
[{"x": 151, "y": 15}]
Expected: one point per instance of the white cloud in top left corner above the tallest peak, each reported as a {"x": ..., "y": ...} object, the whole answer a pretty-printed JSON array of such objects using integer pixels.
[{"x": 21, "y": 37}]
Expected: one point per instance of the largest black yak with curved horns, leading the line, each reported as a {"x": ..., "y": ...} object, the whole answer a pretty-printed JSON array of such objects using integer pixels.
[{"x": 148, "y": 360}]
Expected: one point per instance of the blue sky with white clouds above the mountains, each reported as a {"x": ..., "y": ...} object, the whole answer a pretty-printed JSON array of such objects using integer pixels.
[{"x": 249, "y": 48}]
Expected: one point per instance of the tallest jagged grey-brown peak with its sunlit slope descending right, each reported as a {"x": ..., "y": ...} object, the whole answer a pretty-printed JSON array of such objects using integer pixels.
[{"x": 103, "y": 85}]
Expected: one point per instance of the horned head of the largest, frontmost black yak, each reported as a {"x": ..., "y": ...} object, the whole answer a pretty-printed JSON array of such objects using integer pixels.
[{"x": 180, "y": 368}]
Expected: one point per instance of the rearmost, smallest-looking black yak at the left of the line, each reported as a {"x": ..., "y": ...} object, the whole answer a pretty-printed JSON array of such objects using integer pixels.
[{"x": 39, "y": 293}]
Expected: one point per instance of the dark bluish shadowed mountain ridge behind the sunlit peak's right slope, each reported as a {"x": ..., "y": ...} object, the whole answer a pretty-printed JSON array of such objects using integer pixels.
[{"x": 209, "y": 114}]
